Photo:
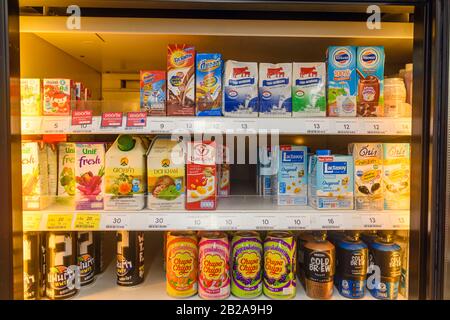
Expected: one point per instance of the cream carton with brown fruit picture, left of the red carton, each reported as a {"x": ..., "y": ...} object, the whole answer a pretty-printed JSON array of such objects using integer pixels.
[{"x": 166, "y": 174}]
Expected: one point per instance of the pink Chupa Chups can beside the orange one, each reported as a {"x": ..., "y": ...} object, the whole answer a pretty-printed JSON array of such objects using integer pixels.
[{"x": 214, "y": 255}]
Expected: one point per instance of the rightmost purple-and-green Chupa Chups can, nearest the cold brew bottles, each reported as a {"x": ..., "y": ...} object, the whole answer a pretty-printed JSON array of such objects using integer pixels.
[{"x": 279, "y": 280}]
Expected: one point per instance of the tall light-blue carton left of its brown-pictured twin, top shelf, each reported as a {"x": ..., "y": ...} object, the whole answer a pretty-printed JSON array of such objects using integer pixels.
[{"x": 342, "y": 81}]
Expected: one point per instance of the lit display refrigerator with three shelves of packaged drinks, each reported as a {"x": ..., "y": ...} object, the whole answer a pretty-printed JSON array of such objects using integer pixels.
[{"x": 327, "y": 127}]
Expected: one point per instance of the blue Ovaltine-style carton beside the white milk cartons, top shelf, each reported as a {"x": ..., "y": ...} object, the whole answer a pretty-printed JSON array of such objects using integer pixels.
[{"x": 208, "y": 89}]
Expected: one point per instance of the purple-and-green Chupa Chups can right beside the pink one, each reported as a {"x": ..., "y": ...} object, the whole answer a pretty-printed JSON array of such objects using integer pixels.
[{"x": 246, "y": 261}]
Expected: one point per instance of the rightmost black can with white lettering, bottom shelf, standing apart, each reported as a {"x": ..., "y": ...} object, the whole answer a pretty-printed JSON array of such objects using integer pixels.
[{"x": 130, "y": 258}]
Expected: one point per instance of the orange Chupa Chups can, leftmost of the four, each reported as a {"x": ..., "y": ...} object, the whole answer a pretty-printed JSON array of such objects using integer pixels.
[{"x": 181, "y": 264}]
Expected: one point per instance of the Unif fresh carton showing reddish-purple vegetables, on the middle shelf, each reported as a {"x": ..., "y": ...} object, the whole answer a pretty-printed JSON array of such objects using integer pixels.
[{"x": 89, "y": 176}]
